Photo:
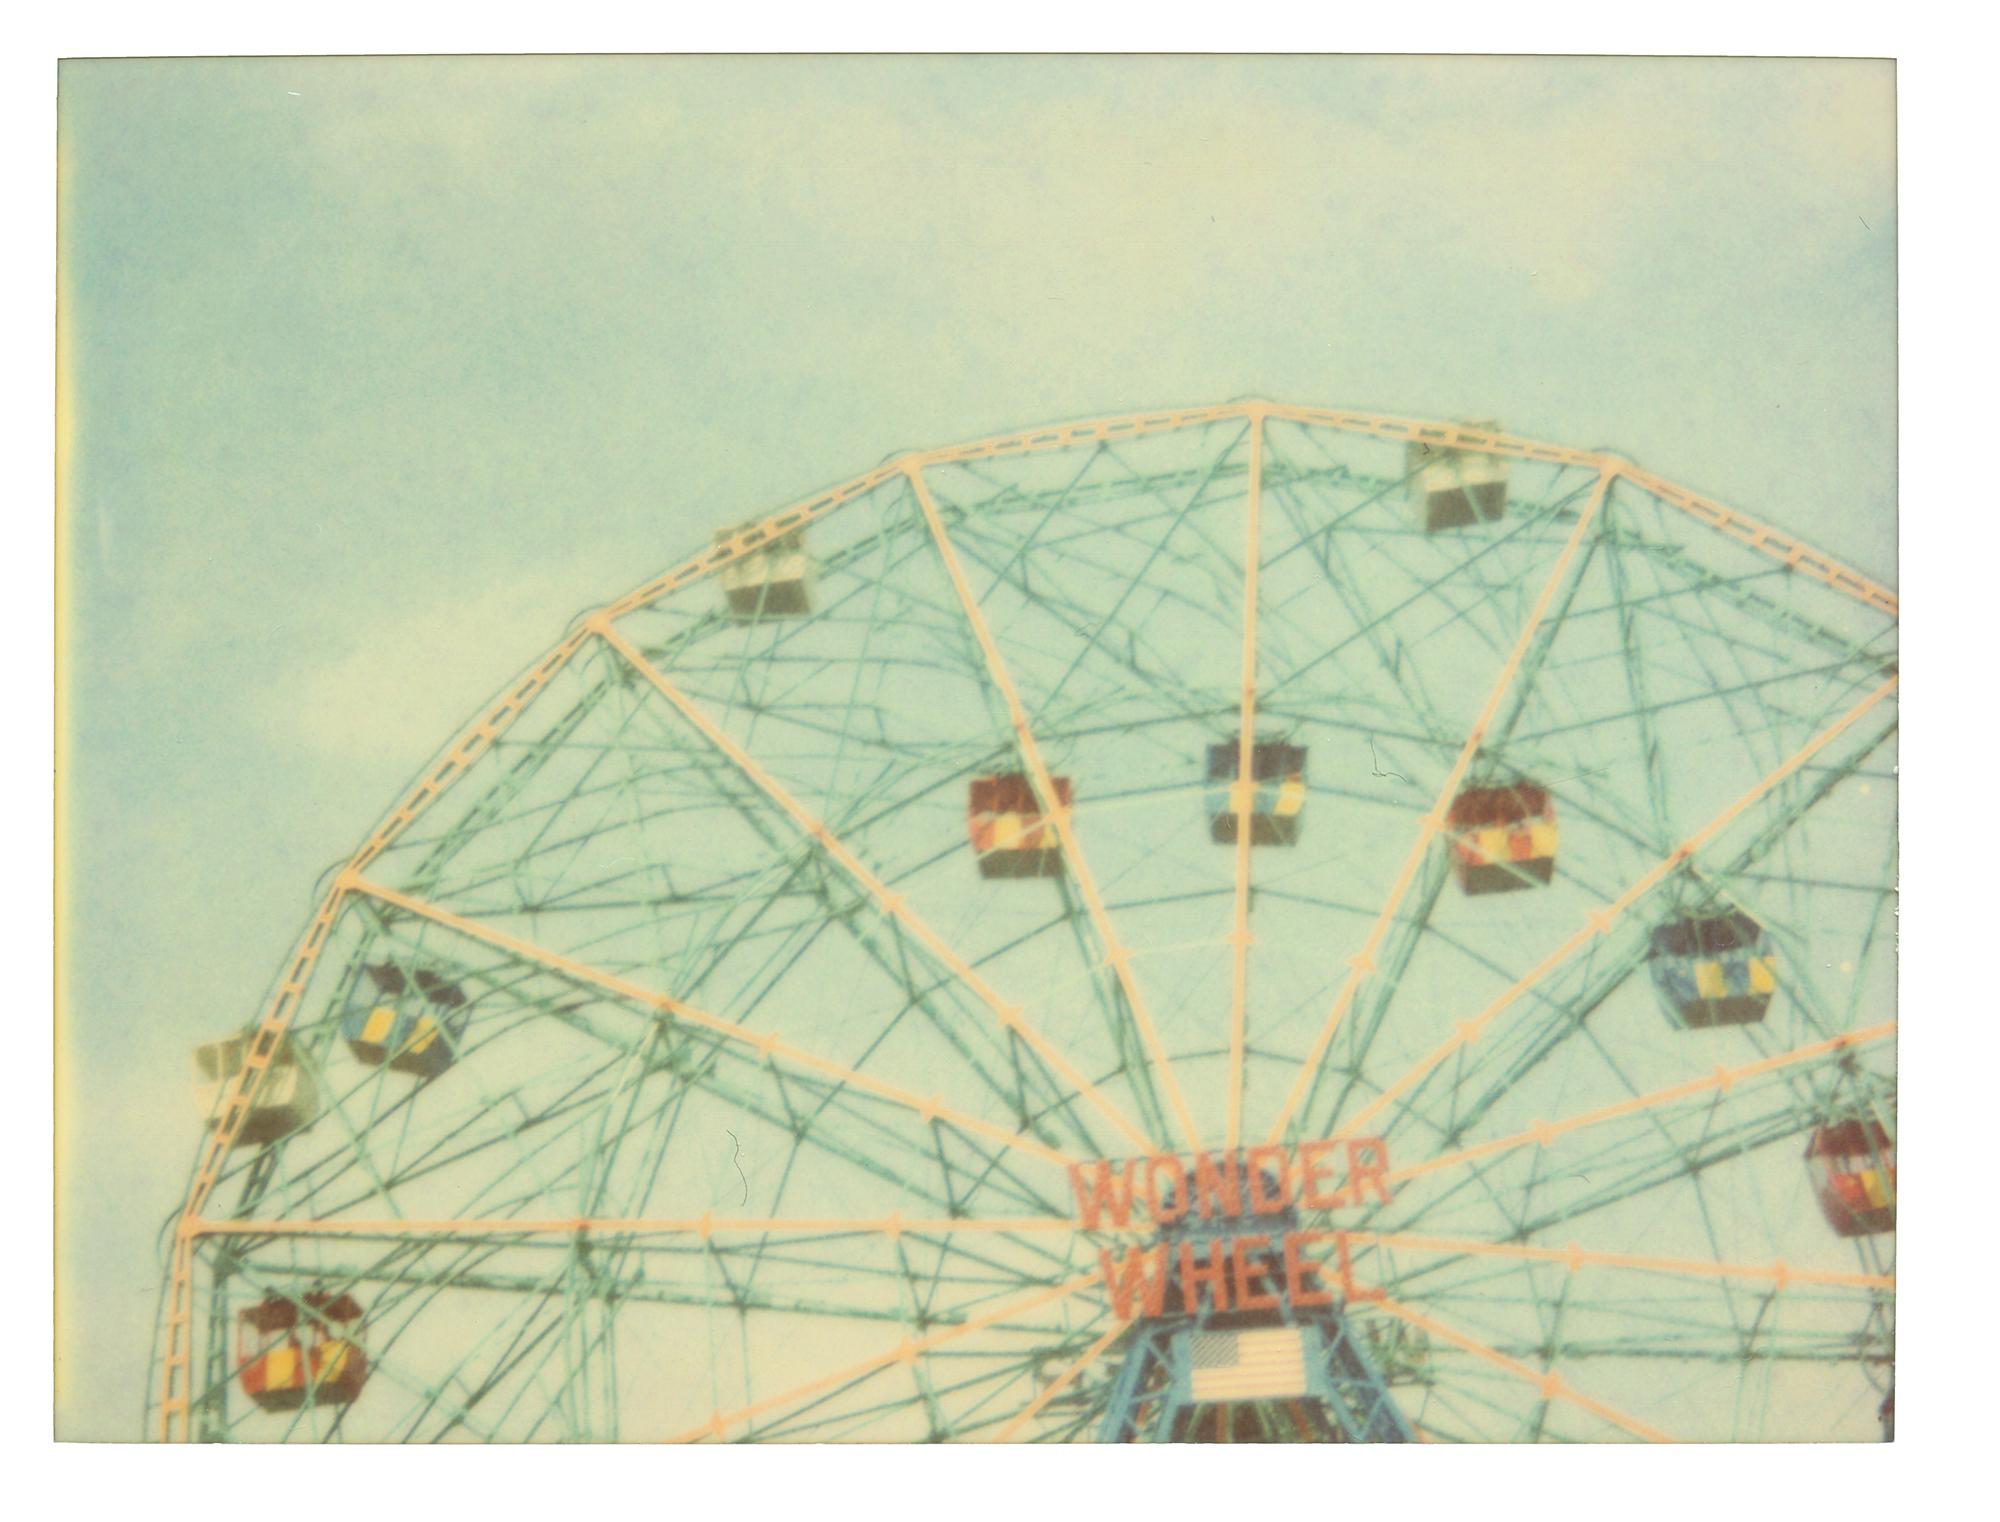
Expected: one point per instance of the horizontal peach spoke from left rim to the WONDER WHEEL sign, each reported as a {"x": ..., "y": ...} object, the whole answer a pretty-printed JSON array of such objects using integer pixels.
[{"x": 705, "y": 1227}]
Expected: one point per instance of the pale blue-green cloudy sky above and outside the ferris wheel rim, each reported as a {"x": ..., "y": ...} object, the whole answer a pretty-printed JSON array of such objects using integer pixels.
[{"x": 375, "y": 373}]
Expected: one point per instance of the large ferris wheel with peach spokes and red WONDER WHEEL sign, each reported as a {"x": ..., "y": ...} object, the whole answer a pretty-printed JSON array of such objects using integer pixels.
[{"x": 1249, "y": 923}]
